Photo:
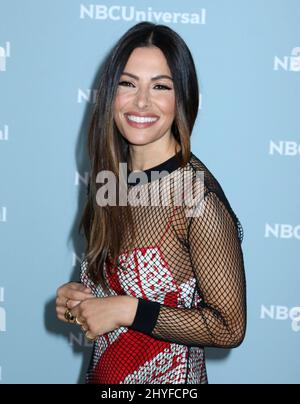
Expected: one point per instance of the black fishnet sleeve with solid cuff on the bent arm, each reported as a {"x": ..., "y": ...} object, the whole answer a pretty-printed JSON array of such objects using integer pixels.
[{"x": 217, "y": 260}]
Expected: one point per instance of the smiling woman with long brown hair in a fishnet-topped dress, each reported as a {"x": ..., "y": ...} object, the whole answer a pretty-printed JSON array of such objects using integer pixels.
[{"x": 160, "y": 281}]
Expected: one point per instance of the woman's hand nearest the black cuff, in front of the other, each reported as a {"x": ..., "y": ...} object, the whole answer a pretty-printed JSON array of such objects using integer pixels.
[{"x": 97, "y": 316}]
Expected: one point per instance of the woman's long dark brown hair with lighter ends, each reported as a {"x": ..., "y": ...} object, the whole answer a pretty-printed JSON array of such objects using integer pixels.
[{"x": 104, "y": 226}]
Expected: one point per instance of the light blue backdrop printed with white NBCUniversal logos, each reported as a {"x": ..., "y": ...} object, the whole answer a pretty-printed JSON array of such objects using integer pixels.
[{"x": 247, "y": 54}]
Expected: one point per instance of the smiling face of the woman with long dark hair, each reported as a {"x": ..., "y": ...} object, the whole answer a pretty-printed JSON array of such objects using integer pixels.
[{"x": 145, "y": 97}]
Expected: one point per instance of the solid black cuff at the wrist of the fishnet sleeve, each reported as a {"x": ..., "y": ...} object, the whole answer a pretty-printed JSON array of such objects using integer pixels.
[{"x": 146, "y": 316}]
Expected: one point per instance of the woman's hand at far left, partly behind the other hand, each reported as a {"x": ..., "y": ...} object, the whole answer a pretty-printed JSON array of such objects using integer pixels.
[{"x": 69, "y": 296}]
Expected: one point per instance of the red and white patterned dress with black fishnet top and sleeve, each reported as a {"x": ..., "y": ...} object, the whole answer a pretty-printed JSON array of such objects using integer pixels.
[{"x": 187, "y": 270}]
